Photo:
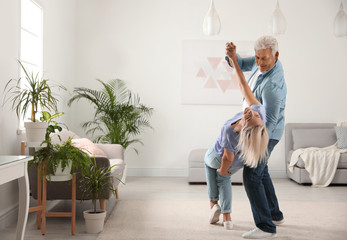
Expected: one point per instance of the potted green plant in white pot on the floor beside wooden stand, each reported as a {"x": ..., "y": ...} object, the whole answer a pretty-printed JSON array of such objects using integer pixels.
[{"x": 96, "y": 182}]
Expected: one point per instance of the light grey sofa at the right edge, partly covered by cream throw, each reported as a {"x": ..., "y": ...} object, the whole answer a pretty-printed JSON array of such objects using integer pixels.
[{"x": 303, "y": 135}]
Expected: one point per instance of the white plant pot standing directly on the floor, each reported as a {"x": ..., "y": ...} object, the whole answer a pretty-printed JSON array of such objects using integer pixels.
[{"x": 94, "y": 221}]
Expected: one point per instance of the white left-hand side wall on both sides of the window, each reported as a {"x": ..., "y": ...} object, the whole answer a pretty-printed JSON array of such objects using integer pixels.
[{"x": 59, "y": 66}]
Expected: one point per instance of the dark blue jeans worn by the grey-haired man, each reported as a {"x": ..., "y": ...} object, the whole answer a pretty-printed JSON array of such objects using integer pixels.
[{"x": 261, "y": 194}]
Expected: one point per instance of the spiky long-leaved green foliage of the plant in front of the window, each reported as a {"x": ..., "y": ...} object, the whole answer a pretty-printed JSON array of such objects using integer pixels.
[{"x": 35, "y": 93}]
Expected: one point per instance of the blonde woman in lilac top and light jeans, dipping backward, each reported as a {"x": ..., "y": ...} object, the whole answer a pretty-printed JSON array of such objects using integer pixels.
[{"x": 243, "y": 141}]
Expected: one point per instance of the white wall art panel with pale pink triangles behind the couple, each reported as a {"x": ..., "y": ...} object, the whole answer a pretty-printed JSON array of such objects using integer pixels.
[{"x": 207, "y": 78}]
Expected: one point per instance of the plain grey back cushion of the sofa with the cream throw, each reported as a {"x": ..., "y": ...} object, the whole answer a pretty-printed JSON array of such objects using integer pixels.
[{"x": 303, "y": 138}]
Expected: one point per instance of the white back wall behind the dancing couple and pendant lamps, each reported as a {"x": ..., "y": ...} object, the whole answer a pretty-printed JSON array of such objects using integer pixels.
[{"x": 141, "y": 43}]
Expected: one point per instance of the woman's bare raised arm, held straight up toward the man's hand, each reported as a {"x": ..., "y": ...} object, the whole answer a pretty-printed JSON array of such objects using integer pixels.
[{"x": 243, "y": 85}]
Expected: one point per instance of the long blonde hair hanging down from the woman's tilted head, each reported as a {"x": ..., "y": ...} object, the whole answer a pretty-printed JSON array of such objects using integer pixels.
[{"x": 252, "y": 144}]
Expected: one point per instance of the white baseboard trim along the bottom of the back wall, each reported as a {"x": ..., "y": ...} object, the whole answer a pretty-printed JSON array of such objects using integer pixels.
[{"x": 179, "y": 172}]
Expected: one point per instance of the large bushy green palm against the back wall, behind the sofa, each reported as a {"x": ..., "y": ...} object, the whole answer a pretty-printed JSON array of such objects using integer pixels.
[{"x": 119, "y": 116}]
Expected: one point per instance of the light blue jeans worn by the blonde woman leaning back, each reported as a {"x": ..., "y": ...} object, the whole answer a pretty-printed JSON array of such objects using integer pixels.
[{"x": 218, "y": 186}]
